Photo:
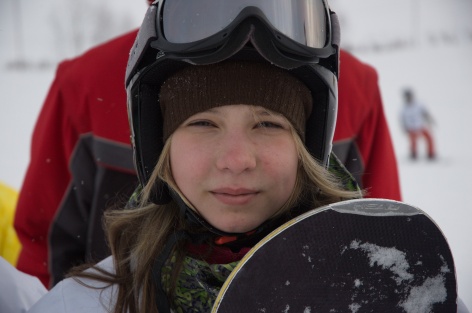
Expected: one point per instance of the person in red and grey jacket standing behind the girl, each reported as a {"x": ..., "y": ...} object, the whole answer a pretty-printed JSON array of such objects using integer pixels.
[{"x": 81, "y": 158}]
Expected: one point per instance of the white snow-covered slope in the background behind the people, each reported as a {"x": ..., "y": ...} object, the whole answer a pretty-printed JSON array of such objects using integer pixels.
[{"x": 422, "y": 44}]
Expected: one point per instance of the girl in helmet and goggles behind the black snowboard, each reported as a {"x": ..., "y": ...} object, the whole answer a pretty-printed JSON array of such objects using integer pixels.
[{"x": 232, "y": 138}]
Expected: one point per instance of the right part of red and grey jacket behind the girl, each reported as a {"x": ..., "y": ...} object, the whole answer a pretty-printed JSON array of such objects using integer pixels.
[{"x": 362, "y": 139}]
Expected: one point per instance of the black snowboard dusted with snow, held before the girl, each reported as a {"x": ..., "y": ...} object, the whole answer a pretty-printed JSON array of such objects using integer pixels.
[{"x": 365, "y": 255}]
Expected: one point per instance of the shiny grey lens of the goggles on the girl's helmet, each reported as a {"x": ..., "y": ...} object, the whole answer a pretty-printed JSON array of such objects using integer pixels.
[{"x": 186, "y": 21}]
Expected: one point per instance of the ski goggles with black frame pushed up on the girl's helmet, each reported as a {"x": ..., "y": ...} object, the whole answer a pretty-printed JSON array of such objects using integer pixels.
[{"x": 289, "y": 33}]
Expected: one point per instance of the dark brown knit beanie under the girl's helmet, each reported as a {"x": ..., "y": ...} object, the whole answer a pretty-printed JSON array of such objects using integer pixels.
[{"x": 199, "y": 88}]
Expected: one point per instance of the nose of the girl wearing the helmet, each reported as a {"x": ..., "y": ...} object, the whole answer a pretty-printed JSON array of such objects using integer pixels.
[{"x": 236, "y": 154}]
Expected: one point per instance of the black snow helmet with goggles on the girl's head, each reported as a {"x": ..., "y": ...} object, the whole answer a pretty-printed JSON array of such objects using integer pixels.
[{"x": 253, "y": 33}]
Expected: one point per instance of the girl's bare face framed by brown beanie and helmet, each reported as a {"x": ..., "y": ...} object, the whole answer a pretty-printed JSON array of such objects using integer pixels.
[{"x": 236, "y": 164}]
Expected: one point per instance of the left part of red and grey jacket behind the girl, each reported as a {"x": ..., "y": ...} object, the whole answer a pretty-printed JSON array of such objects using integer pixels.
[{"x": 80, "y": 157}]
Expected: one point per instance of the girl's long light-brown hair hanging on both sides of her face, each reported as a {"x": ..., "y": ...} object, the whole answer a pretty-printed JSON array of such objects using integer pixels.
[{"x": 137, "y": 236}]
